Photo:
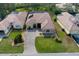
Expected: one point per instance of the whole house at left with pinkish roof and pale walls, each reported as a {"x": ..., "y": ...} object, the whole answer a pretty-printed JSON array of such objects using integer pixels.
[{"x": 15, "y": 20}]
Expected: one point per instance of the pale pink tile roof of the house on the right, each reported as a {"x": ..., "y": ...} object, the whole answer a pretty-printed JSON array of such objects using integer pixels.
[{"x": 67, "y": 20}]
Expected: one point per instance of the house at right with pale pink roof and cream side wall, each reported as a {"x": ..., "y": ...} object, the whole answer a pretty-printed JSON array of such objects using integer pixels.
[{"x": 69, "y": 23}]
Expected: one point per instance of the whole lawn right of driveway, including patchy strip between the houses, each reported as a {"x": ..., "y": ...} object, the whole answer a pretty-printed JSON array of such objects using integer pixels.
[{"x": 45, "y": 45}]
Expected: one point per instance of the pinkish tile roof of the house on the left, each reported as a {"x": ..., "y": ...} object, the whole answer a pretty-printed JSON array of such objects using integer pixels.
[{"x": 13, "y": 17}]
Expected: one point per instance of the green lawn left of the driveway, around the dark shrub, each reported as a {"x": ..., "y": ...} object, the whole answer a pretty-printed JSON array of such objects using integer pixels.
[{"x": 6, "y": 44}]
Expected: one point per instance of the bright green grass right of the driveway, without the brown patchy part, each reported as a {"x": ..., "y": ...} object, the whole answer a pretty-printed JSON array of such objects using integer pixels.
[{"x": 48, "y": 45}]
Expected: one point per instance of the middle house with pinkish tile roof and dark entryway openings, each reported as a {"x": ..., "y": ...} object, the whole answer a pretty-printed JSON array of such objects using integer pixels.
[{"x": 40, "y": 21}]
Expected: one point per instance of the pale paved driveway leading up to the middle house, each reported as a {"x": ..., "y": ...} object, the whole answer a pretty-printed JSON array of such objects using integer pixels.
[{"x": 29, "y": 42}]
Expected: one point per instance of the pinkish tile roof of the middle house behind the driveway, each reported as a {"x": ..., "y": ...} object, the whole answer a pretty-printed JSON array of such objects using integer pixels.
[{"x": 43, "y": 18}]
